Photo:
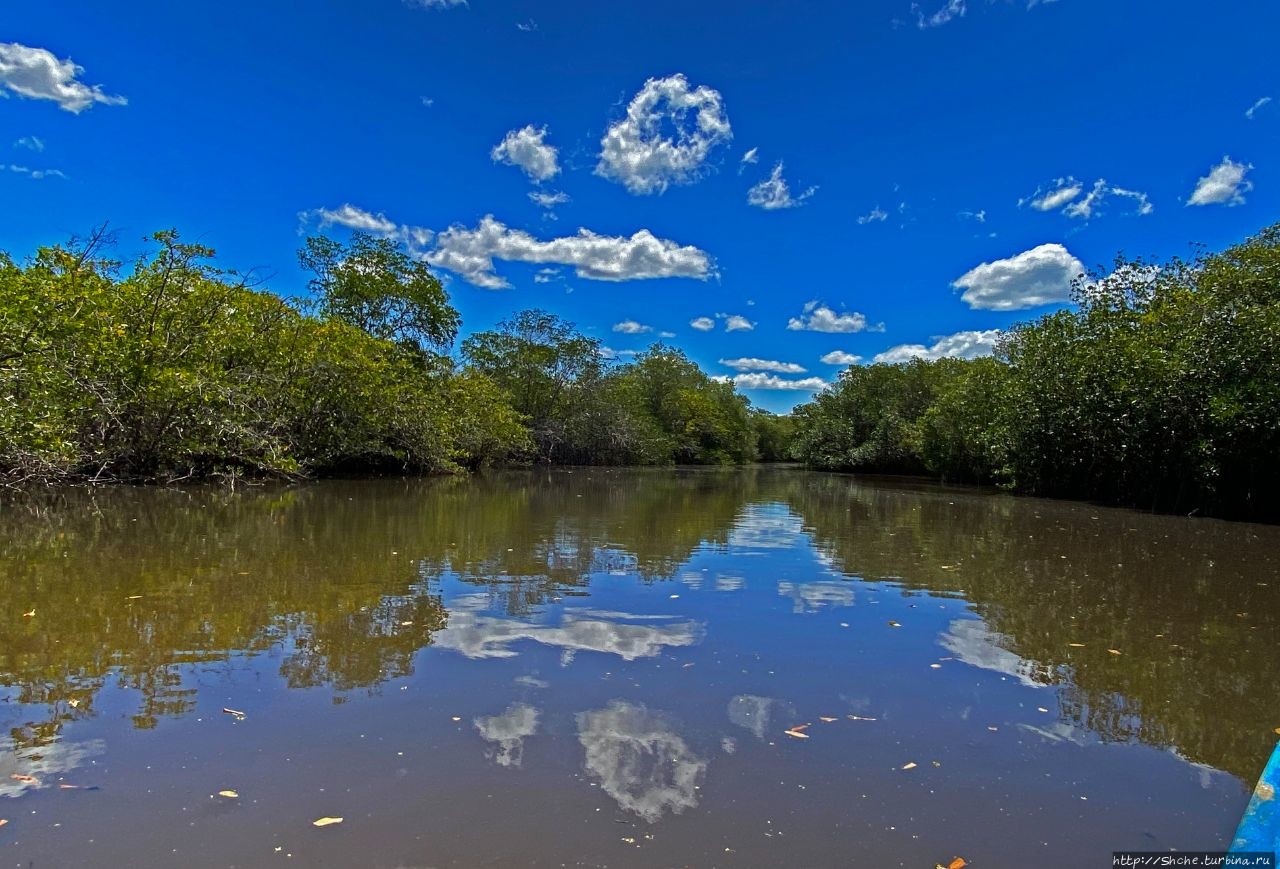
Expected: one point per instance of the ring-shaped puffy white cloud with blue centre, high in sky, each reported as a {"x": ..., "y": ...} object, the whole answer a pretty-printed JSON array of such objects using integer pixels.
[{"x": 639, "y": 154}]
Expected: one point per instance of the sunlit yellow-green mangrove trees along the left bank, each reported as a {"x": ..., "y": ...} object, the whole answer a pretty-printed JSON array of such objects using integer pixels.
[{"x": 175, "y": 369}]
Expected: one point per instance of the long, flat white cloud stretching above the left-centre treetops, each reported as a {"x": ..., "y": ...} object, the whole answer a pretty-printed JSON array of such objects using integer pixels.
[{"x": 472, "y": 254}]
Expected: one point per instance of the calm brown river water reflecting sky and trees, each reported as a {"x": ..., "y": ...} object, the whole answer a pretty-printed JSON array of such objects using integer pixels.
[{"x": 600, "y": 669}]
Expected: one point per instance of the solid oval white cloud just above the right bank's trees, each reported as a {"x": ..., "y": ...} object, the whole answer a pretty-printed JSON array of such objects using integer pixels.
[{"x": 1041, "y": 276}]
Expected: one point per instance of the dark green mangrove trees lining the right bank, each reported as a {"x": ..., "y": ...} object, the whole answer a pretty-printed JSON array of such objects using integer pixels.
[{"x": 1160, "y": 390}]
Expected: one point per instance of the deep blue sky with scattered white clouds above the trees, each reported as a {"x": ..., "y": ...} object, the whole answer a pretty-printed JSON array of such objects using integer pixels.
[{"x": 945, "y": 167}]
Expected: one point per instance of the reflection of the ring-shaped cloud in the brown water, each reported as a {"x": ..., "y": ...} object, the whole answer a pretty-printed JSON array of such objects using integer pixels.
[{"x": 641, "y": 761}]
